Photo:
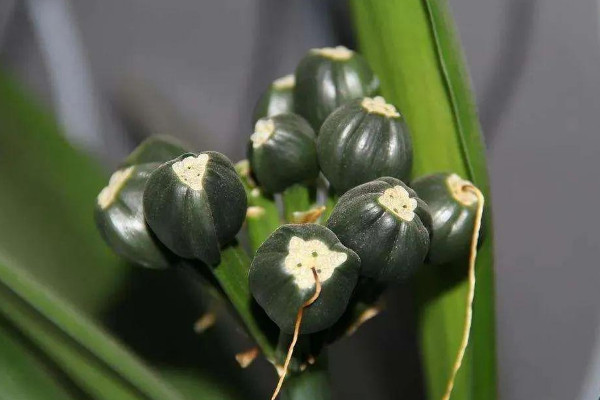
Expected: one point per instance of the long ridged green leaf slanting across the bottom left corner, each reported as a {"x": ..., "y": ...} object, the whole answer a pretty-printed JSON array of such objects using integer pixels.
[{"x": 65, "y": 331}]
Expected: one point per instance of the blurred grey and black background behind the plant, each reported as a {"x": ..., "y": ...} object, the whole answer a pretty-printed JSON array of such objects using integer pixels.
[{"x": 115, "y": 71}]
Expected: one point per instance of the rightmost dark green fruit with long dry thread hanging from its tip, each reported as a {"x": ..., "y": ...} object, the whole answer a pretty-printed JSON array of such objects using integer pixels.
[{"x": 453, "y": 211}]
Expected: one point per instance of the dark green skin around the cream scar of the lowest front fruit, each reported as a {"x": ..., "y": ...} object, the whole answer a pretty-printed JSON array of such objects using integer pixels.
[{"x": 275, "y": 290}]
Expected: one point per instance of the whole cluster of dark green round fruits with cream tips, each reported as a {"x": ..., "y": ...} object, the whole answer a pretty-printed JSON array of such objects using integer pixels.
[{"x": 324, "y": 126}]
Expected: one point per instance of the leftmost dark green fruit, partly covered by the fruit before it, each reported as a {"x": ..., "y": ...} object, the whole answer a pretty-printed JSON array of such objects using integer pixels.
[{"x": 119, "y": 217}]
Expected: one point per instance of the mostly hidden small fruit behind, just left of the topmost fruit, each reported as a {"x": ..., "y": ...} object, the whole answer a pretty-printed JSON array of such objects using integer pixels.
[{"x": 277, "y": 99}]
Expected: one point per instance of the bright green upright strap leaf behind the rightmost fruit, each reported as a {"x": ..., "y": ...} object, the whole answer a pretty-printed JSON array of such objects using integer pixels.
[{"x": 413, "y": 48}]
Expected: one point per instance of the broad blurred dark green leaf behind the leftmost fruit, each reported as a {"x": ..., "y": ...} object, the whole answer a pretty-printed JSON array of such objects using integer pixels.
[{"x": 48, "y": 192}]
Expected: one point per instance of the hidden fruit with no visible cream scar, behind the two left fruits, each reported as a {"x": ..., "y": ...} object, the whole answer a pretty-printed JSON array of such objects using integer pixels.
[{"x": 155, "y": 149}]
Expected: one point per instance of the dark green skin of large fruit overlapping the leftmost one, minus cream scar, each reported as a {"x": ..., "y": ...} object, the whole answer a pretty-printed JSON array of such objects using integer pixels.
[{"x": 196, "y": 223}]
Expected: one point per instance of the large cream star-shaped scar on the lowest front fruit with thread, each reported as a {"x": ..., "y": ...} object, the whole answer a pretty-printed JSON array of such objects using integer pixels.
[{"x": 303, "y": 255}]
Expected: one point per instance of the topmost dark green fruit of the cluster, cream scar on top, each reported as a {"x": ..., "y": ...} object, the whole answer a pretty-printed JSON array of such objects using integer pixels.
[{"x": 329, "y": 77}]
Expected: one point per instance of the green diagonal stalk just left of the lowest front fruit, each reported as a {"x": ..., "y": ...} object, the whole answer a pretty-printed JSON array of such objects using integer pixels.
[{"x": 232, "y": 275}]
